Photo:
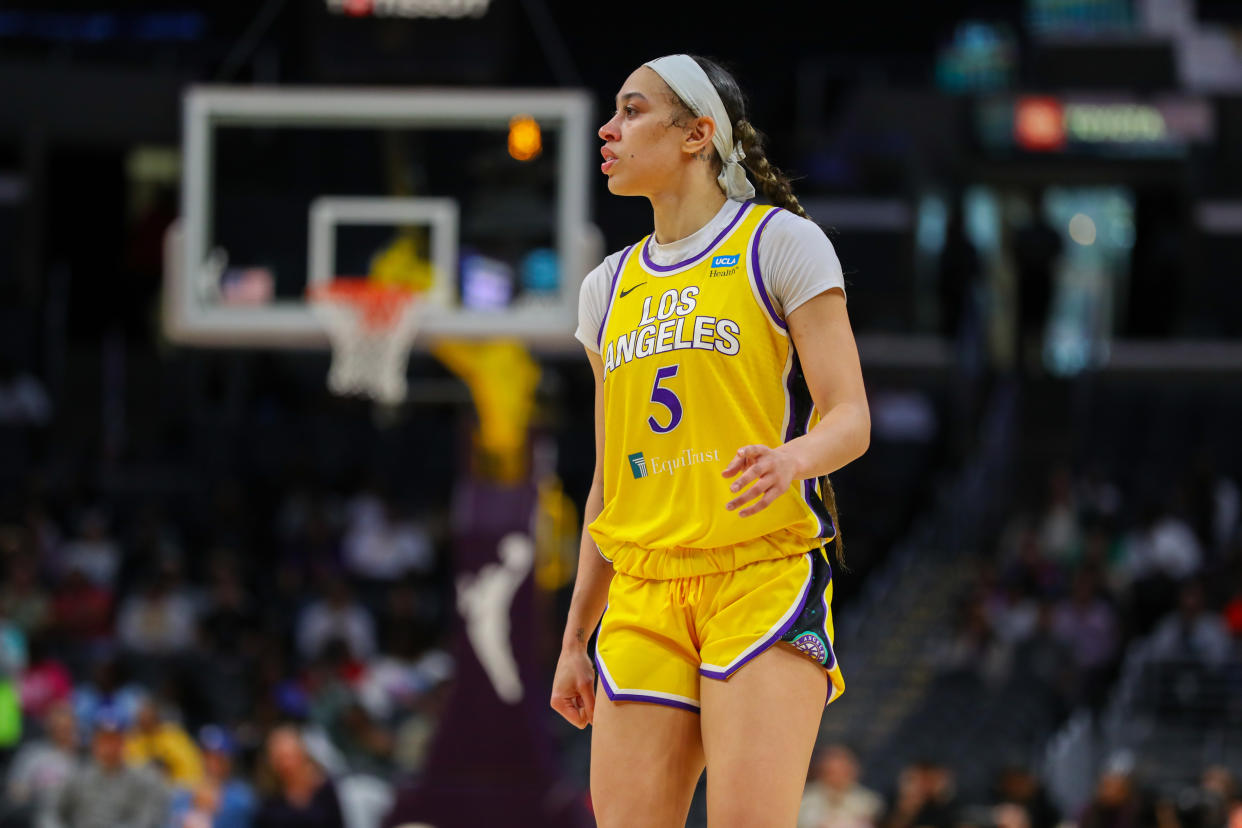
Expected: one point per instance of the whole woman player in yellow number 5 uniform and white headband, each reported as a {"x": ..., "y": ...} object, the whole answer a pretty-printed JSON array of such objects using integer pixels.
[{"x": 727, "y": 389}]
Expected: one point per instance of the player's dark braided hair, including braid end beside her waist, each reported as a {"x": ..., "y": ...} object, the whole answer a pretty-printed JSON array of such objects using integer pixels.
[{"x": 776, "y": 186}]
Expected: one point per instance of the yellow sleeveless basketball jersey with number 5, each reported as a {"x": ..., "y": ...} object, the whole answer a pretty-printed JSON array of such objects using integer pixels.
[{"x": 697, "y": 364}]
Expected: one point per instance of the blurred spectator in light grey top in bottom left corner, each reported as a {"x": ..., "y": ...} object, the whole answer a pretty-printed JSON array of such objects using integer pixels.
[{"x": 43, "y": 767}]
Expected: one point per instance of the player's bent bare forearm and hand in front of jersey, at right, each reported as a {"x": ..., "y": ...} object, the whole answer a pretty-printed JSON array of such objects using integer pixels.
[{"x": 827, "y": 348}]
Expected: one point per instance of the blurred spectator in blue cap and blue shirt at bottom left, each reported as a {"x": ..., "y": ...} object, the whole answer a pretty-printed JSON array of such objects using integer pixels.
[{"x": 222, "y": 800}]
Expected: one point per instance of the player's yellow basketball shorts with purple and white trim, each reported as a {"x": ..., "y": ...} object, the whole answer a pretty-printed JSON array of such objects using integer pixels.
[{"x": 660, "y": 639}]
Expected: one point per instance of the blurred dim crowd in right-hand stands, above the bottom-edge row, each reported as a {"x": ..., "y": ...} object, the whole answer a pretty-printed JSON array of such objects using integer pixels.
[{"x": 1092, "y": 567}]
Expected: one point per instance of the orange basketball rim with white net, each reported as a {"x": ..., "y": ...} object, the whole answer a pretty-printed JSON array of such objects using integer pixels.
[{"x": 372, "y": 327}]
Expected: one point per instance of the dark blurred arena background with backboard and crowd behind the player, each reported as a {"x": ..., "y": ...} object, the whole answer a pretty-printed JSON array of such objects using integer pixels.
[{"x": 232, "y": 598}]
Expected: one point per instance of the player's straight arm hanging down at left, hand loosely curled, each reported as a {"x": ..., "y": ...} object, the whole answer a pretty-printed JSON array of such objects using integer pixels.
[{"x": 573, "y": 688}]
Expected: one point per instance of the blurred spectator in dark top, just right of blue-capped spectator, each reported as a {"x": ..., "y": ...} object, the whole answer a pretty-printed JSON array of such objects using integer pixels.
[{"x": 305, "y": 798}]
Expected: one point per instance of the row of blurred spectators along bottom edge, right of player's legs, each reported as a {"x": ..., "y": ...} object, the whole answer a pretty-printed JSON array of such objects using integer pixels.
[{"x": 926, "y": 796}]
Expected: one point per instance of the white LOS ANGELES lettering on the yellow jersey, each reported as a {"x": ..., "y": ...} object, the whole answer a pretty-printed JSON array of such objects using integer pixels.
[{"x": 670, "y": 327}]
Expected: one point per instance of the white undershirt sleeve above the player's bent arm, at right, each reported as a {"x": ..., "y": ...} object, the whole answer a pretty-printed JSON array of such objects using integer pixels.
[{"x": 798, "y": 263}]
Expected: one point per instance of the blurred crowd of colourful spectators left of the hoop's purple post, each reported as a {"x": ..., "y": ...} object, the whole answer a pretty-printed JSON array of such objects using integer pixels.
[{"x": 142, "y": 686}]
